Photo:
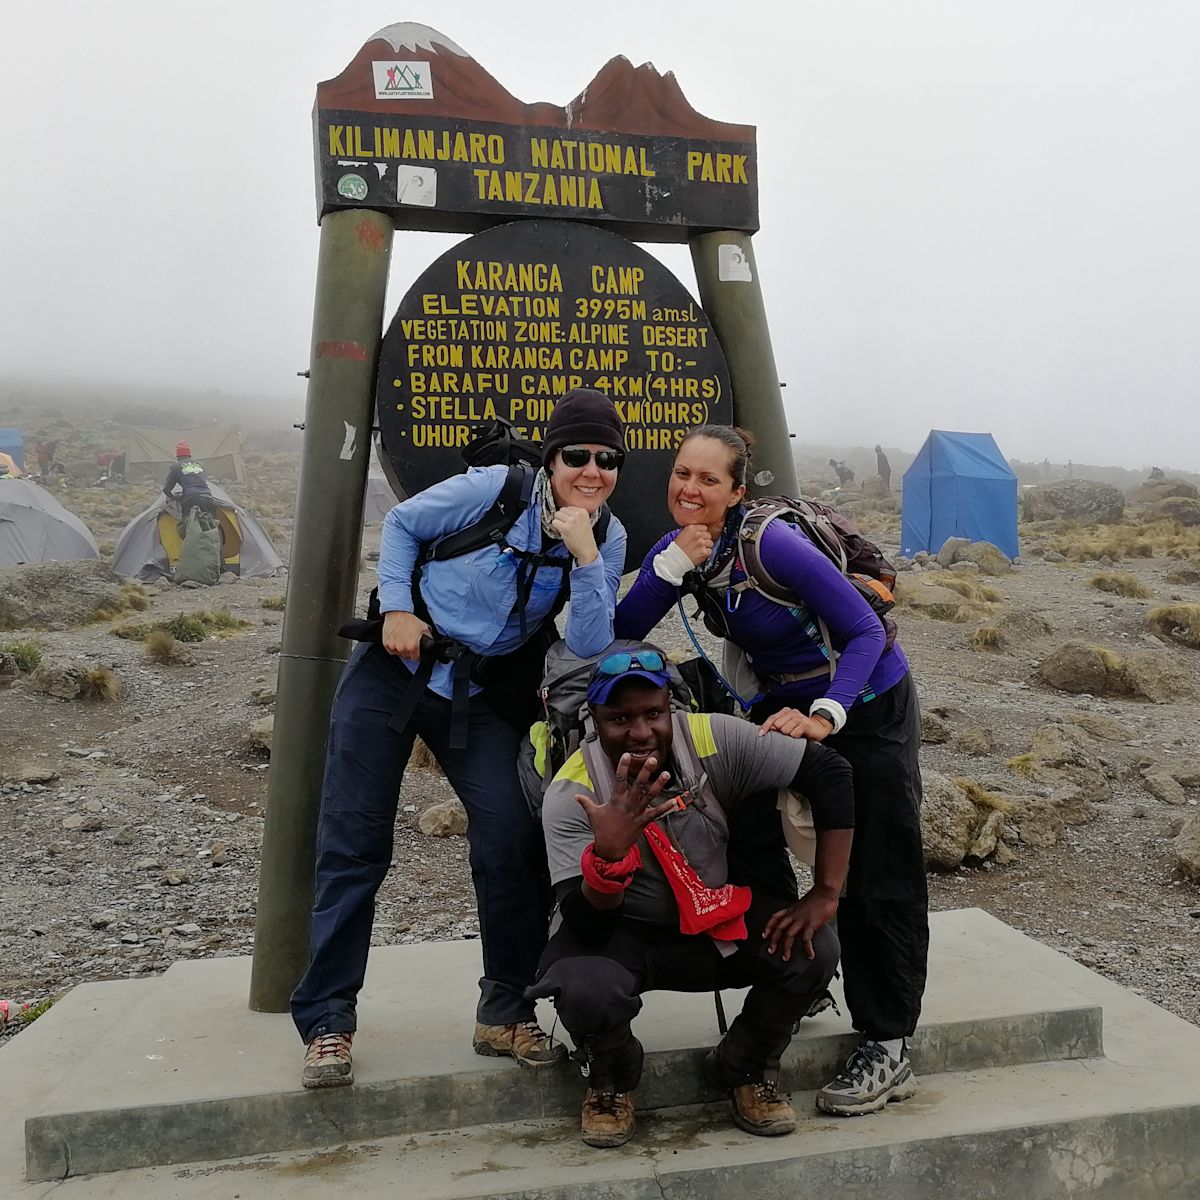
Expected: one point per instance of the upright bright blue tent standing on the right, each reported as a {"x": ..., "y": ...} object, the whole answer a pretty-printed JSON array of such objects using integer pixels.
[{"x": 959, "y": 487}]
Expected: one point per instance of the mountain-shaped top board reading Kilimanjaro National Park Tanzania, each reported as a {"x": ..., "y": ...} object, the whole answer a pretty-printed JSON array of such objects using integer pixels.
[{"x": 417, "y": 129}]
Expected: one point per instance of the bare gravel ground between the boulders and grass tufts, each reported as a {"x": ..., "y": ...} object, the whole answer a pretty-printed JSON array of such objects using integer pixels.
[{"x": 142, "y": 849}]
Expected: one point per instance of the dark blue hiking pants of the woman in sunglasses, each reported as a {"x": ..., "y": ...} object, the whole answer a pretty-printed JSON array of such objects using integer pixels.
[{"x": 364, "y": 769}]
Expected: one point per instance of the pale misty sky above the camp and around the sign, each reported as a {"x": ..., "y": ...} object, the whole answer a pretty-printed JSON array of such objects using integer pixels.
[{"x": 976, "y": 214}]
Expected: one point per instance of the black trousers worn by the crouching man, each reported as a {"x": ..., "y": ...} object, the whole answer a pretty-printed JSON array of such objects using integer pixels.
[{"x": 598, "y": 992}]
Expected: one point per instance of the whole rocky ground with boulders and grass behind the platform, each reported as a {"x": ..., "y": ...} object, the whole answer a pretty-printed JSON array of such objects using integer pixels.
[{"x": 130, "y": 829}]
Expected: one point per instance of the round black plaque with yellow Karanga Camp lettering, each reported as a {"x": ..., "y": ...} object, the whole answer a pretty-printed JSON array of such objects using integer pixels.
[{"x": 508, "y": 322}]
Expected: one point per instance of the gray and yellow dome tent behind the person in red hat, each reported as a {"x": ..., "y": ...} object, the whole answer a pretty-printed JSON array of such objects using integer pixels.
[{"x": 149, "y": 544}]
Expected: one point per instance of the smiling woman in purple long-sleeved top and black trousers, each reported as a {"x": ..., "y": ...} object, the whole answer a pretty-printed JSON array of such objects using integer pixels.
[{"x": 866, "y": 709}]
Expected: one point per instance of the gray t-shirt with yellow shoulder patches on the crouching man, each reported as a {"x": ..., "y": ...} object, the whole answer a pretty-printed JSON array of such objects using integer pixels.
[{"x": 739, "y": 761}]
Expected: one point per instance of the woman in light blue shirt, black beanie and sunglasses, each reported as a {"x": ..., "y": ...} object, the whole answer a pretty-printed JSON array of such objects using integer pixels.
[{"x": 491, "y": 602}]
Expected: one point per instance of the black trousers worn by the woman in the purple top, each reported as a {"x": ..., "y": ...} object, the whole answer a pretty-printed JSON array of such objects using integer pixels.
[{"x": 884, "y": 919}]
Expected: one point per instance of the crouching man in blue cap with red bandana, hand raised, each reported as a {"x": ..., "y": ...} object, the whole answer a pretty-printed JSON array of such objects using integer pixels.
[{"x": 637, "y": 835}]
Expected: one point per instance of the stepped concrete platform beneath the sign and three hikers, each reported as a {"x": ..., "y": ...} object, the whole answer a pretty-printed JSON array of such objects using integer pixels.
[{"x": 1015, "y": 1094}]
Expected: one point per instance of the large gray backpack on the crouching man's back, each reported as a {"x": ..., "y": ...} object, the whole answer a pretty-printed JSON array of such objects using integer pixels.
[{"x": 565, "y": 697}]
